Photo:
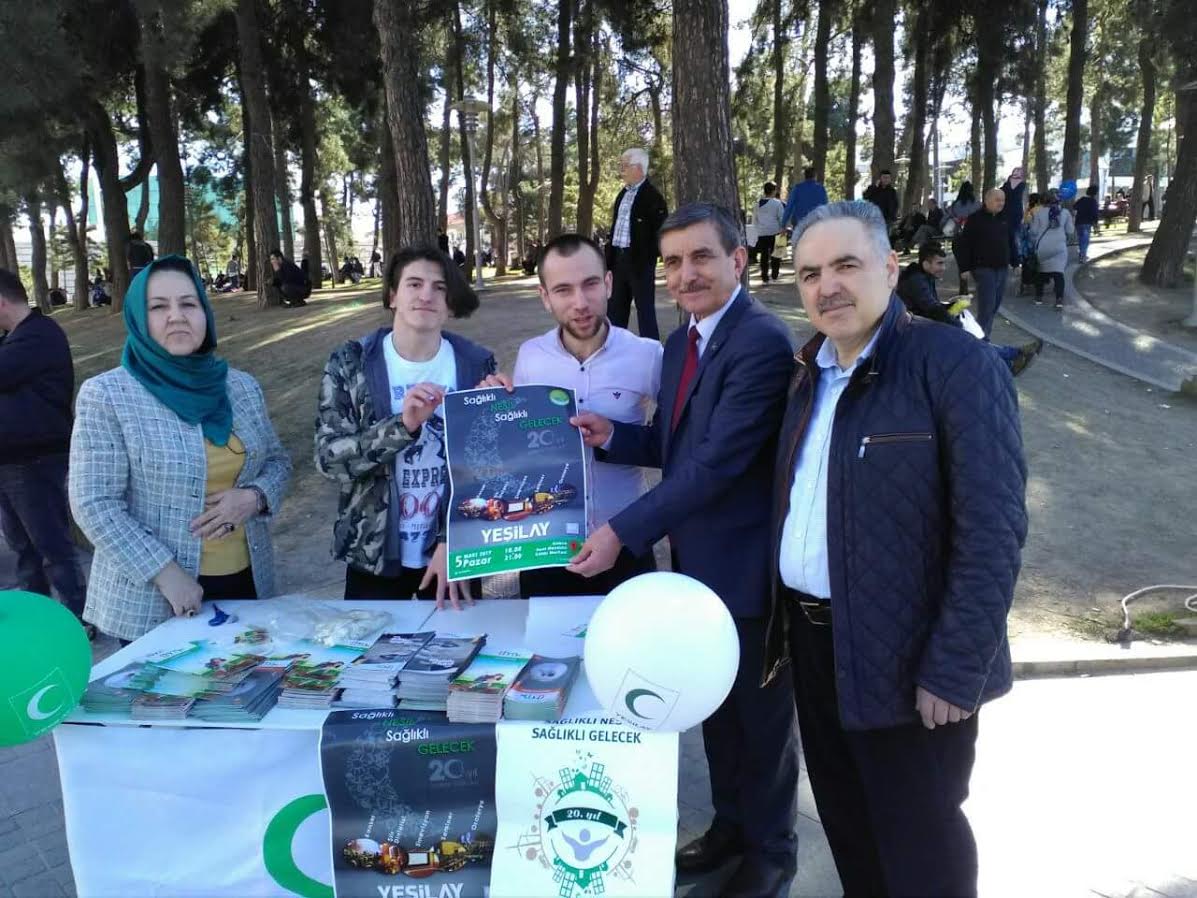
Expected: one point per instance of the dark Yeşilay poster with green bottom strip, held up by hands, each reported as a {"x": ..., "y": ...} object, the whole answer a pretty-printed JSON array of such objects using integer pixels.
[{"x": 518, "y": 475}]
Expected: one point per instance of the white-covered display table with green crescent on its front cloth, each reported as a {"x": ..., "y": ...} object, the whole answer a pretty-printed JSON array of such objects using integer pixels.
[{"x": 195, "y": 809}]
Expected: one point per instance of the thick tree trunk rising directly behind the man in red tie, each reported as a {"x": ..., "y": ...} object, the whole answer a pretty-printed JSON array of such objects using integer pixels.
[{"x": 704, "y": 168}]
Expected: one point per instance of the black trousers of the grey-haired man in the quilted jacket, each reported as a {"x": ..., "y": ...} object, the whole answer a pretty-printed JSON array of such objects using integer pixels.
[{"x": 889, "y": 799}]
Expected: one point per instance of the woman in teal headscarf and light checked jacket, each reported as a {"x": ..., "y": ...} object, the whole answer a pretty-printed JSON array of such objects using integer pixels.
[{"x": 175, "y": 468}]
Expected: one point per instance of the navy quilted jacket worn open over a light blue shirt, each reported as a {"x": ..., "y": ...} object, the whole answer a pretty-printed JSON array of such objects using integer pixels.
[{"x": 926, "y": 523}]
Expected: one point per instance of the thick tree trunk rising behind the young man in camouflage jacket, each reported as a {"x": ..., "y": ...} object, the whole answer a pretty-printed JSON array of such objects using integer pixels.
[{"x": 398, "y": 37}]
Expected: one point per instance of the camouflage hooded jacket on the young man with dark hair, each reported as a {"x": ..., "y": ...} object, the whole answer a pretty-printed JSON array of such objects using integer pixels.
[{"x": 357, "y": 441}]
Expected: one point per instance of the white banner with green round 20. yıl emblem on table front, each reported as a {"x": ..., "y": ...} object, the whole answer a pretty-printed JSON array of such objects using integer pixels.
[{"x": 586, "y": 808}]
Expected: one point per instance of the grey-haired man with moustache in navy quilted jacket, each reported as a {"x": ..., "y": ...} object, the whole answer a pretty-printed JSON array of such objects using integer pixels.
[{"x": 900, "y": 520}]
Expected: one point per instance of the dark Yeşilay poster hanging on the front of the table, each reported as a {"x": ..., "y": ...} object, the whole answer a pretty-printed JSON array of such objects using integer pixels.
[{"x": 412, "y": 804}]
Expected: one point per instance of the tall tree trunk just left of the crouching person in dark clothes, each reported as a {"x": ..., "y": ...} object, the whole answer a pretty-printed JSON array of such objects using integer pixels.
[{"x": 262, "y": 143}]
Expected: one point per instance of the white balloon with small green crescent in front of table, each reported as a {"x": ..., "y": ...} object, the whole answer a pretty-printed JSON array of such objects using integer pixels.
[{"x": 661, "y": 652}]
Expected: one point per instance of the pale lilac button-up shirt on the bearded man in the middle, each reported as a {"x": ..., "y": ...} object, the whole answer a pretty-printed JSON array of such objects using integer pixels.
[{"x": 621, "y": 383}]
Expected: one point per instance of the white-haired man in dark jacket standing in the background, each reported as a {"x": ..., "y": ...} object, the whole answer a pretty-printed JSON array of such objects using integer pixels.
[{"x": 633, "y": 253}]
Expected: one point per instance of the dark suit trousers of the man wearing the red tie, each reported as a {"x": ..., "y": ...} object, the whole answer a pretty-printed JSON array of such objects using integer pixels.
[{"x": 752, "y": 754}]
